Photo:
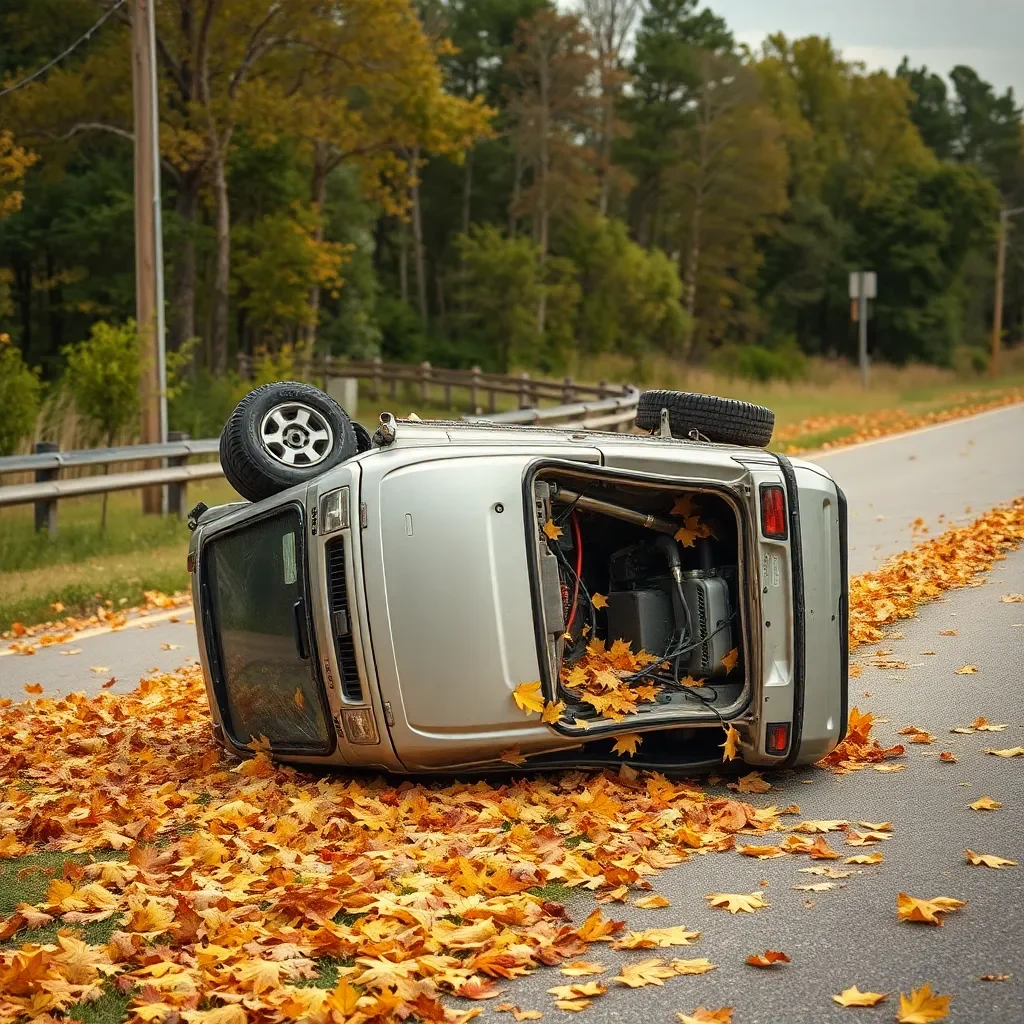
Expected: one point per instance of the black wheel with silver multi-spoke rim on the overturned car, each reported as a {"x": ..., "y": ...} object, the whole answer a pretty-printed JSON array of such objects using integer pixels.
[{"x": 255, "y": 462}]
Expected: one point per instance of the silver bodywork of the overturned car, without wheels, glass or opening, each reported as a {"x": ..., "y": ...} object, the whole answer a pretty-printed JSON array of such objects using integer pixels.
[{"x": 442, "y": 608}]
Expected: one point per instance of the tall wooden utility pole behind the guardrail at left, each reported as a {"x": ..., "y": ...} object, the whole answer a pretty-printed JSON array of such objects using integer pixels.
[{"x": 149, "y": 240}]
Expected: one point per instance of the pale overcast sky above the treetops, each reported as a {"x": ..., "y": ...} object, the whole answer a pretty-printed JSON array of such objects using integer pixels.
[{"x": 989, "y": 35}]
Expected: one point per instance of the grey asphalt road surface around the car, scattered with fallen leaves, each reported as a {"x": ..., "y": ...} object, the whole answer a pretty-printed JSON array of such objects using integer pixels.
[{"x": 849, "y": 935}]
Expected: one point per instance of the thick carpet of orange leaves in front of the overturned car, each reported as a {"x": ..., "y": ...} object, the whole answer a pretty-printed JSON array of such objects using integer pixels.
[{"x": 241, "y": 878}]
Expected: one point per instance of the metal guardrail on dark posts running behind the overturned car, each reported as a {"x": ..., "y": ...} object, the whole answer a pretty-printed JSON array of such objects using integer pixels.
[{"x": 606, "y": 411}]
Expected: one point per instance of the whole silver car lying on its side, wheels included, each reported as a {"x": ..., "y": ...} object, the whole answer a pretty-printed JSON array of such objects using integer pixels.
[{"x": 382, "y": 600}]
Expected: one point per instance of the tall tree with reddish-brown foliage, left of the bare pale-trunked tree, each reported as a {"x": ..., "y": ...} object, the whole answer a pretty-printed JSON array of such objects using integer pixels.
[{"x": 550, "y": 107}]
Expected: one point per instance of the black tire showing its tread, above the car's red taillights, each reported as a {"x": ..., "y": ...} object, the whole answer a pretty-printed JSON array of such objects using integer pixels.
[{"x": 727, "y": 421}]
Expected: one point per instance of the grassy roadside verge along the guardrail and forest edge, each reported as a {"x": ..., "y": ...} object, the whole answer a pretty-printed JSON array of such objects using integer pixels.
[{"x": 84, "y": 568}]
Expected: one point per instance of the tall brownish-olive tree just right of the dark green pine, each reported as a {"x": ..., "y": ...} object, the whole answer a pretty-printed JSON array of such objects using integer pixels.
[{"x": 727, "y": 188}]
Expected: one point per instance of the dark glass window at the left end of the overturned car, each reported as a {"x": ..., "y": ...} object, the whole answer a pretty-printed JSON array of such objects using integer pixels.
[{"x": 257, "y": 590}]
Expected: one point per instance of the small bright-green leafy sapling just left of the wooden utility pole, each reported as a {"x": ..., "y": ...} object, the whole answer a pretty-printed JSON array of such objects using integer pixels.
[{"x": 103, "y": 376}]
